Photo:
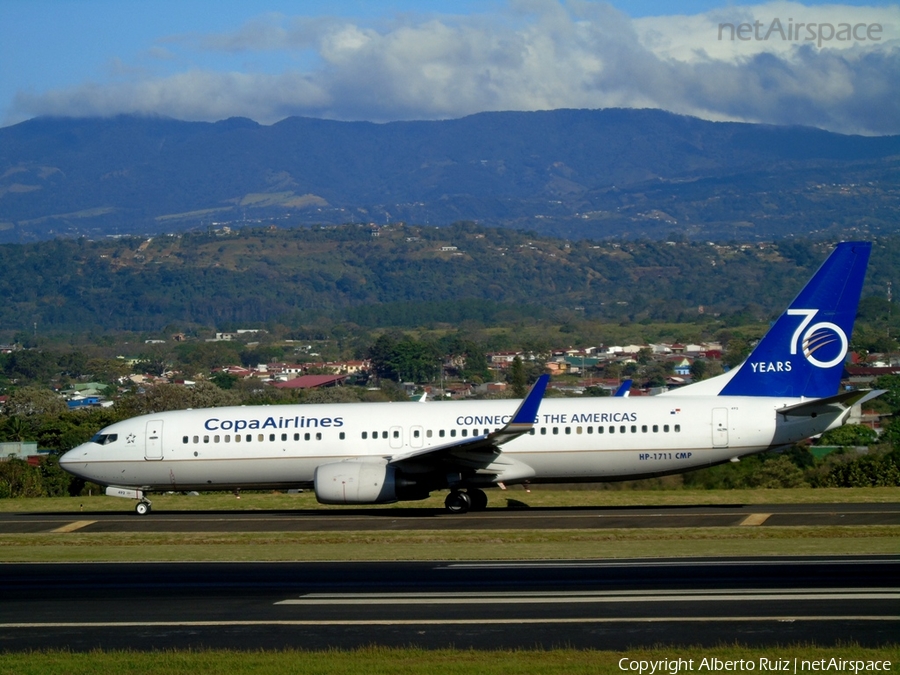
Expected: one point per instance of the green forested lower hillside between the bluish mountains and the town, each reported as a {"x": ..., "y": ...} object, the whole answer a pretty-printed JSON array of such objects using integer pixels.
[{"x": 397, "y": 276}]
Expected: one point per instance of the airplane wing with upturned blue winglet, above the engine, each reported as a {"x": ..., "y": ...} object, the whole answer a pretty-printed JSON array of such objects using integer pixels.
[{"x": 482, "y": 453}]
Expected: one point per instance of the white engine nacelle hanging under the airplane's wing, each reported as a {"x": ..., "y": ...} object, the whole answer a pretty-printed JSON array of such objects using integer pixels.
[{"x": 355, "y": 482}]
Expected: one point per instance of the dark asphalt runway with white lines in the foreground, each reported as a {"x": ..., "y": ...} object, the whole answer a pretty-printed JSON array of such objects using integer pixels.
[{"x": 618, "y": 604}]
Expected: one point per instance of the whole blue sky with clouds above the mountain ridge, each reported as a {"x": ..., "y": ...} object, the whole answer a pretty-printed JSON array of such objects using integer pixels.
[{"x": 431, "y": 59}]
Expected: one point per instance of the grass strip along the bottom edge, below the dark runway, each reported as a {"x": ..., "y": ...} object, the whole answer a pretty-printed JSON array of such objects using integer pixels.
[{"x": 383, "y": 660}]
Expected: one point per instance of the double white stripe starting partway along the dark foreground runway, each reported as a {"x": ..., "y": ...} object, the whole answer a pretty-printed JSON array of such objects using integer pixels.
[{"x": 576, "y": 597}]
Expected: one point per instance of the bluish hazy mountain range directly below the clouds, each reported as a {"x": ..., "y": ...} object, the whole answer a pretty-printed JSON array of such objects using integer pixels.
[{"x": 577, "y": 174}]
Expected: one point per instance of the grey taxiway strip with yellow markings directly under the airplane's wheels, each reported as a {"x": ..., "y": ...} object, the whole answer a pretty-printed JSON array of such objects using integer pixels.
[{"x": 353, "y": 519}]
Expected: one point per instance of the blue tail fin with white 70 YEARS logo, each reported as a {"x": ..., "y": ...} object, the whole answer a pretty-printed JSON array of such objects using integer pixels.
[{"x": 803, "y": 353}]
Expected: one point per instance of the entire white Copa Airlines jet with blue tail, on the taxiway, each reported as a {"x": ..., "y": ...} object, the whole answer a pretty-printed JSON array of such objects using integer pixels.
[{"x": 376, "y": 453}]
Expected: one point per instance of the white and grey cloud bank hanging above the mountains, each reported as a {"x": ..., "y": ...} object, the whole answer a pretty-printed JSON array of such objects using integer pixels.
[{"x": 541, "y": 54}]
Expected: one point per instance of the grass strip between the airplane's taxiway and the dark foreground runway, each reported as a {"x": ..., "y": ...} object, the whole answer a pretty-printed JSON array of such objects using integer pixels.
[{"x": 450, "y": 544}]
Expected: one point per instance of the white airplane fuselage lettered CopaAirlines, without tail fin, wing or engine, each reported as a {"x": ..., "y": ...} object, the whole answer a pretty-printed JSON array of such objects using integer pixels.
[{"x": 587, "y": 439}]
